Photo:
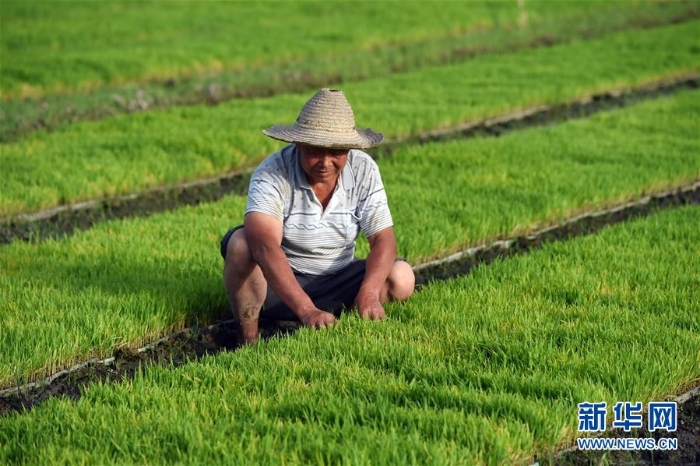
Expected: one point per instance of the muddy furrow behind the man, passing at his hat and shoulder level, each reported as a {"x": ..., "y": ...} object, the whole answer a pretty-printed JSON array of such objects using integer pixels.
[{"x": 65, "y": 220}]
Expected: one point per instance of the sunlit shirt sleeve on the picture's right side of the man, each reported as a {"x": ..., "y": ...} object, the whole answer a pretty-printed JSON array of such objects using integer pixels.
[{"x": 373, "y": 206}]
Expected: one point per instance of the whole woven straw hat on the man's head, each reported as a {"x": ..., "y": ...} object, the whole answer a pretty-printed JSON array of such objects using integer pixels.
[{"x": 326, "y": 120}]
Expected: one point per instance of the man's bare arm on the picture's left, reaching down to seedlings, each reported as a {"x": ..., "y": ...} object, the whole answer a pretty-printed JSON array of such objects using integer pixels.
[{"x": 264, "y": 236}]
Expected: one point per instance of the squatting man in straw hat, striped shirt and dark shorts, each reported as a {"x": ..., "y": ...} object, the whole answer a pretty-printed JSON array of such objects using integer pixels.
[{"x": 293, "y": 257}]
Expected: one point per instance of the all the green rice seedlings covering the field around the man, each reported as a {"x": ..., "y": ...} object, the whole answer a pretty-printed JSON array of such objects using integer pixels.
[{"x": 487, "y": 368}]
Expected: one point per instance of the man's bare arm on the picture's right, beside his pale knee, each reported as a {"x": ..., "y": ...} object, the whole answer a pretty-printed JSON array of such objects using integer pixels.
[{"x": 379, "y": 263}]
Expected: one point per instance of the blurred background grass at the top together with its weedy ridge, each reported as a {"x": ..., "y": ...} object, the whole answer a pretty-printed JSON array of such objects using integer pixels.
[{"x": 454, "y": 33}]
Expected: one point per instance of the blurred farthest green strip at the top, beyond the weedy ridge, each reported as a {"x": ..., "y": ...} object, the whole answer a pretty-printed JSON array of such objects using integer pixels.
[{"x": 50, "y": 47}]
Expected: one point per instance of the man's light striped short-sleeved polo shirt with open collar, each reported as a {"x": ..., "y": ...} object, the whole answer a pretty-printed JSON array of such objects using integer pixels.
[{"x": 318, "y": 241}]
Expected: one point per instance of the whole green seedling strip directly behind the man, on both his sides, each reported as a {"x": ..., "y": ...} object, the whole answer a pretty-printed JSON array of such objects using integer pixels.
[{"x": 128, "y": 282}]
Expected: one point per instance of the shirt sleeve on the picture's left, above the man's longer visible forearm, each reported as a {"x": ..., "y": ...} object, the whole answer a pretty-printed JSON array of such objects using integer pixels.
[{"x": 266, "y": 191}]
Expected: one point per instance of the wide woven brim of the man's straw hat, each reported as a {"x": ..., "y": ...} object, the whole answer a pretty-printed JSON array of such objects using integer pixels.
[{"x": 357, "y": 139}]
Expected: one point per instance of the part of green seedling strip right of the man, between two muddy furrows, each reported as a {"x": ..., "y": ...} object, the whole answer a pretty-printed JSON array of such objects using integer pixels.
[{"x": 447, "y": 196}]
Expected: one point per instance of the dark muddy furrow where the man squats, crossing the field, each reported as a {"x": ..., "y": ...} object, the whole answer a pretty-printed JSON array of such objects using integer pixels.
[{"x": 192, "y": 343}]
